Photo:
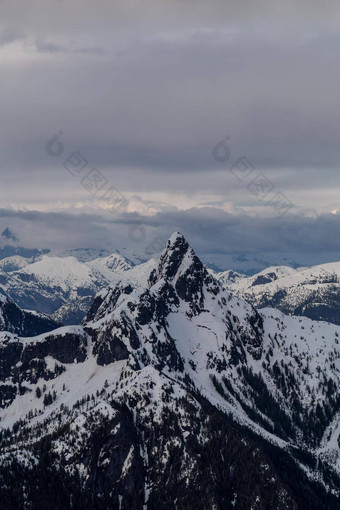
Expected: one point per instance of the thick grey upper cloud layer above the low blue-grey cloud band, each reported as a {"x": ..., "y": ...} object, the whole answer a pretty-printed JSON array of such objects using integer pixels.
[{"x": 145, "y": 91}]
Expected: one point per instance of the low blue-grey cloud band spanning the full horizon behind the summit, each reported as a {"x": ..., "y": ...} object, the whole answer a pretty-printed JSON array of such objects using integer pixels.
[{"x": 207, "y": 229}]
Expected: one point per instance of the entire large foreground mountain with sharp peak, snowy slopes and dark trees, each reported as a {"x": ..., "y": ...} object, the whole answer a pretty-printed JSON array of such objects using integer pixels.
[{"x": 172, "y": 394}]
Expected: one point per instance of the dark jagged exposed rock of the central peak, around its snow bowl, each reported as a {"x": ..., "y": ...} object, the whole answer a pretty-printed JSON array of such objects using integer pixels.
[{"x": 179, "y": 285}]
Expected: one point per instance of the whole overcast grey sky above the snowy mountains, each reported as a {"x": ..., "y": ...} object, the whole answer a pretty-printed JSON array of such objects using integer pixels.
[{"x": 145, "y": 91}]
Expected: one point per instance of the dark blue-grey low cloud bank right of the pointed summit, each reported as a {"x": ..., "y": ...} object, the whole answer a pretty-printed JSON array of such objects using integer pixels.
[{"x": 217, "y": 231}]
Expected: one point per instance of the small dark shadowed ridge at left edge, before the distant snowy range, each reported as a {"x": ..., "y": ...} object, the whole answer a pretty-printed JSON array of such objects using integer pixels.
[{"x": 21, "y": 322}]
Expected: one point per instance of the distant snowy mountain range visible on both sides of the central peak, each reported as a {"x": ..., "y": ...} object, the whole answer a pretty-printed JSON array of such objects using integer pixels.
[{"x": 64, "y": 285}]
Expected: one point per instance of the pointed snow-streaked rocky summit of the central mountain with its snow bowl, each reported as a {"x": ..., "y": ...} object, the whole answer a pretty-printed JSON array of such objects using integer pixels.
[{"x": 141, "y": 319}]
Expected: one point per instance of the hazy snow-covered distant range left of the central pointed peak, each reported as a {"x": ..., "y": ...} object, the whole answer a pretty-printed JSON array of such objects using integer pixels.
[{"x": 63, "y": 287}]
